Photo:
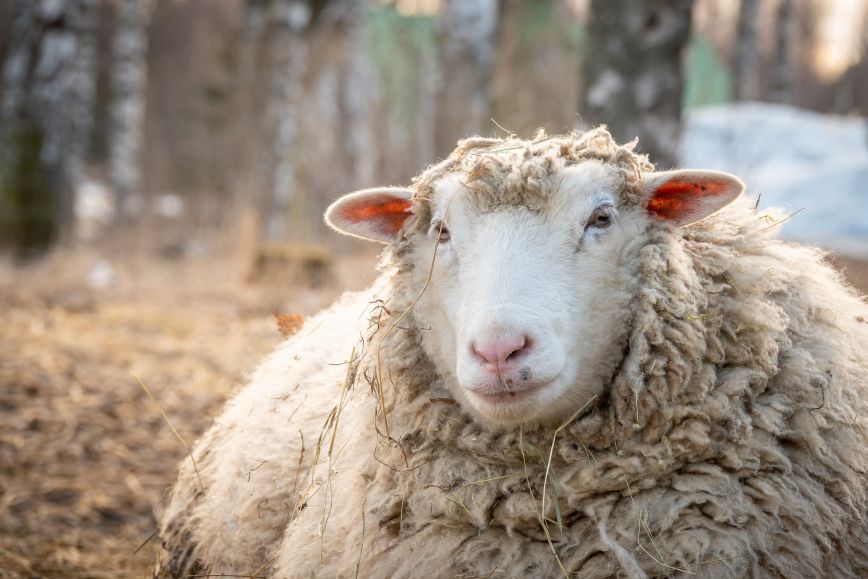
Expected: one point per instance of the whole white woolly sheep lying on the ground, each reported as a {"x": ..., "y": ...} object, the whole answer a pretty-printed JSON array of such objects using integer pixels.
[{"x": 570, "y": 365}]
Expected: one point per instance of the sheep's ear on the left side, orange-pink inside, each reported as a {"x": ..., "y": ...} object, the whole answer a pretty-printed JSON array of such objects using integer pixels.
[{"x": 375, "y": 214}]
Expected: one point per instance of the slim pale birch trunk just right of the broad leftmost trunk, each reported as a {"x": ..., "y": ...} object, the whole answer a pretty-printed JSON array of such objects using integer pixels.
[{"x": 129, "y": 86}]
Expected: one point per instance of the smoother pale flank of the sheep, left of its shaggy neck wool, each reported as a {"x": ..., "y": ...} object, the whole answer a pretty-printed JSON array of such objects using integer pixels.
[{"x": 253, "y": 468}]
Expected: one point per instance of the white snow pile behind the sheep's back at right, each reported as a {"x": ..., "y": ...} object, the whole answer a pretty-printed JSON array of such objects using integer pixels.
[{"x": 793, "y": 159}]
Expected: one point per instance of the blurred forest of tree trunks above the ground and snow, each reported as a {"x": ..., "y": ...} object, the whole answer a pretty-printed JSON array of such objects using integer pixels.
[{"x": 114, "y": 111}]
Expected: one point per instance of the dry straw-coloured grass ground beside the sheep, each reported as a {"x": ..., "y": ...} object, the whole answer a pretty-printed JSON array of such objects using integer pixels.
[{"x": 85, "y": 455}]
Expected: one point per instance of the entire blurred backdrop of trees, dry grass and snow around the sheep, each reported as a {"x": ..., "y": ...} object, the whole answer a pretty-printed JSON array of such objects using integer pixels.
[{"x": 164, "y": 166}]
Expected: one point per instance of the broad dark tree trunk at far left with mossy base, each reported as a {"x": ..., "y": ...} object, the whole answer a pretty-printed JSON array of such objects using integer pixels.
[{"x": 49, "y": 86}]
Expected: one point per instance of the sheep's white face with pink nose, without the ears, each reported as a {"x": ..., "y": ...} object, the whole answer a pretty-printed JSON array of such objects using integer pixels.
[{"x": 524, "y": 302}]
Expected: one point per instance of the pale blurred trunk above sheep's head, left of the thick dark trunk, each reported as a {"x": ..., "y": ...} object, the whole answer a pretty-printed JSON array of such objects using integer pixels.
[{"x": 467, "y": 34}]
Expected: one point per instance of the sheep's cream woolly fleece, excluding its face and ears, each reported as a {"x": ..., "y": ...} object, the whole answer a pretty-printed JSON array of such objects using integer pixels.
[{"x": 730, "y": 443}]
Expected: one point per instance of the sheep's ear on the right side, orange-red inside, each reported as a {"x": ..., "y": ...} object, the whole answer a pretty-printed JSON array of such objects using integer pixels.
[{"x": 686, "y": 196}]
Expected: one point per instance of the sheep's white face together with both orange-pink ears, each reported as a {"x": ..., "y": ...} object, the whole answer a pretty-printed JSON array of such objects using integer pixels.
[{"x": 528, "y": 305}]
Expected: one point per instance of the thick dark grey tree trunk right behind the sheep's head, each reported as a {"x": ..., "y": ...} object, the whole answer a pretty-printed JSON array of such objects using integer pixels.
[{"x": 635, "y": 86}]
